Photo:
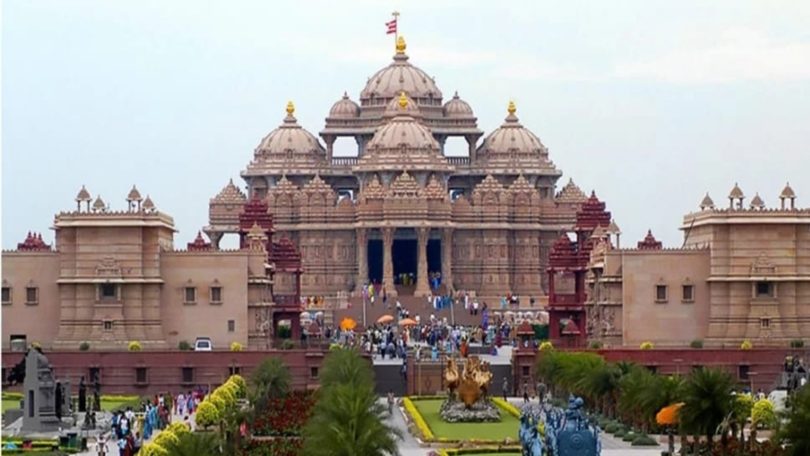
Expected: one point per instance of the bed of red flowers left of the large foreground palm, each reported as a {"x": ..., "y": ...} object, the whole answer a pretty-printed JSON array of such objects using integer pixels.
[{"x": 286, "y": 416}]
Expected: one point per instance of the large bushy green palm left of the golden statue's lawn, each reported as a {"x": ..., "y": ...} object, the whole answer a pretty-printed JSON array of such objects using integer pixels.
[{"x": 348, "y": 419}]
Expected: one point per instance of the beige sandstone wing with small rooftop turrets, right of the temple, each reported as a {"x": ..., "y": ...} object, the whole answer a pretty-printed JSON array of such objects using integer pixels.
[{"x": 743, "y": 273}]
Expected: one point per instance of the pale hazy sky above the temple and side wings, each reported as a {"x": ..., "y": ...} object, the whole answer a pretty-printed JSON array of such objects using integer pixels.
[{"x": 649, "y": 103}]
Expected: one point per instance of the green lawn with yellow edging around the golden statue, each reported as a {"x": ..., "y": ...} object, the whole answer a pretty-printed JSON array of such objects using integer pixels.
[{"x": 507, "y": 427}]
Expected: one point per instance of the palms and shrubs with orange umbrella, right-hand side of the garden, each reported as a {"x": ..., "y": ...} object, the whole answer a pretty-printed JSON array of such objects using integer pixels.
[{"x": 702, "y": 408}]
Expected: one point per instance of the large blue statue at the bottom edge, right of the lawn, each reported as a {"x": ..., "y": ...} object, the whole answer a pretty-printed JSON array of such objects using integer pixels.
[{"x": 572, "y": 434}]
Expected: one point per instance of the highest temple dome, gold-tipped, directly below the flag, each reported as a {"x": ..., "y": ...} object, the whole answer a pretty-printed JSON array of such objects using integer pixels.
[{"x": 401, "y": 76}]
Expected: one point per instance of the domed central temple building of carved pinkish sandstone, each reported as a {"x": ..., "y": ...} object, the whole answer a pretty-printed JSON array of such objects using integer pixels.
[{"x": 400, "y": 206}]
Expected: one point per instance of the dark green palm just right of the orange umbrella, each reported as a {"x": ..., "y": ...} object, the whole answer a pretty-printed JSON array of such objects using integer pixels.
[{"x": 707, "y": 402}]
